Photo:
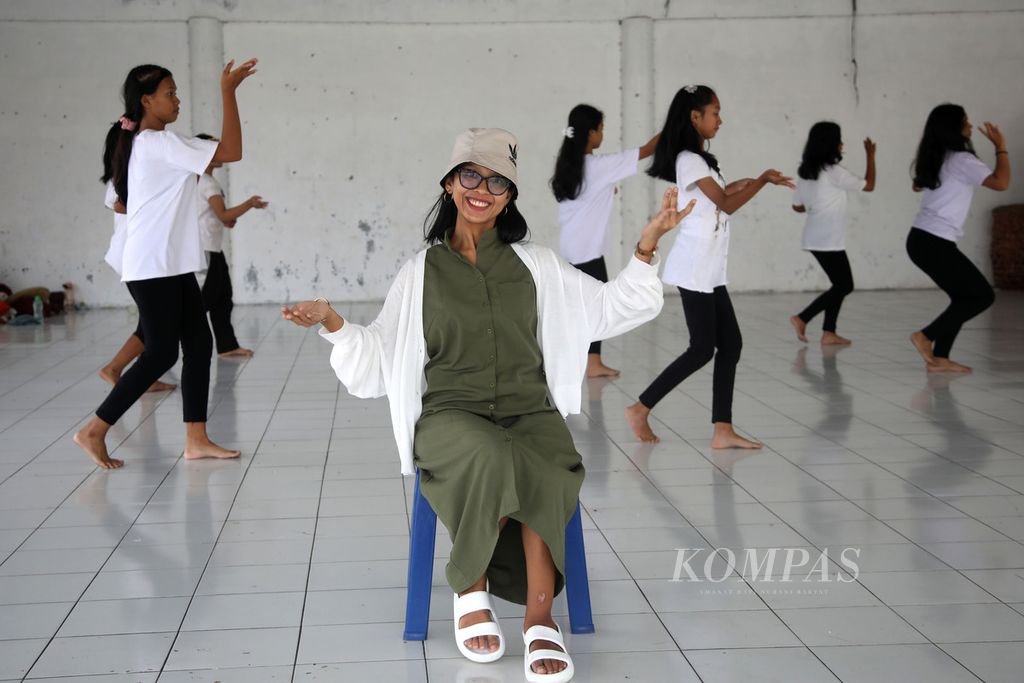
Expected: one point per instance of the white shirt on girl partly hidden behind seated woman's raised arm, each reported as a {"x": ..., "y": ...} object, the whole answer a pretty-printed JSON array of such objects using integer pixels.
[{"x": 585, "y": 220}]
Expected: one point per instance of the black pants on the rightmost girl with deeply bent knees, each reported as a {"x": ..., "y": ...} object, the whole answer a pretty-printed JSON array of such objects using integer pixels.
[{"x": 969, "y": 292}]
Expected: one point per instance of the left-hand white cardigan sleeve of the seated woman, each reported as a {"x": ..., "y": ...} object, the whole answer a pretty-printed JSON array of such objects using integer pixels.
[{"x": 361, "y": 354}]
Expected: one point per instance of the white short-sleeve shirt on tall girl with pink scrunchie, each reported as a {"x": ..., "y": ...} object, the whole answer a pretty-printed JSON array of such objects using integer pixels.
[{"x": 163, "y": 205}]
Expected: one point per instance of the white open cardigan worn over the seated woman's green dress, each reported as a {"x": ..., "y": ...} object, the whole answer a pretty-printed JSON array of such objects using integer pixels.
[{"x": 389, "y": 357}]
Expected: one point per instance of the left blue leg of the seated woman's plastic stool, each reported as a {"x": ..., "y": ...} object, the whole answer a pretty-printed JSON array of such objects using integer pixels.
[{"x": 421, "y": 567}]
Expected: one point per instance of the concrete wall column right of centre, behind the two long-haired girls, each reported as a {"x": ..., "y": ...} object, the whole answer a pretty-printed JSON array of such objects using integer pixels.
[{"x": 638, "y": 123}]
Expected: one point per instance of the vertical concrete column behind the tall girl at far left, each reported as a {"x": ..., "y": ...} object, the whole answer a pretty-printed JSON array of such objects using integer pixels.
[{"x": 206, "y": 62}]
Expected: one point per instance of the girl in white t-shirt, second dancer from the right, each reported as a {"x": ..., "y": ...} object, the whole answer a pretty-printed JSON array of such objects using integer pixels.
[{"x": 822, "y": 194}]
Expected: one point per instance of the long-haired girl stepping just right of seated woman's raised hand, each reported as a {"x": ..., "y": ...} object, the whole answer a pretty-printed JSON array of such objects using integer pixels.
[{"x": 697, "y": 264}]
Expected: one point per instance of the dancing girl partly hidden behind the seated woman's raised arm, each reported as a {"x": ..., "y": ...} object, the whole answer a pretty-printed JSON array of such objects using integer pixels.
[{"x": 584, "y": 185}]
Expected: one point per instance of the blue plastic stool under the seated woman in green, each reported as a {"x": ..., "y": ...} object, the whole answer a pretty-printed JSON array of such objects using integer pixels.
[{"x": 421, "y": 570}]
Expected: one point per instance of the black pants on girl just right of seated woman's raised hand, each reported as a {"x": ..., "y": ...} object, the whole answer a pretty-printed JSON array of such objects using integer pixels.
[{"x": 714, "y": 334}]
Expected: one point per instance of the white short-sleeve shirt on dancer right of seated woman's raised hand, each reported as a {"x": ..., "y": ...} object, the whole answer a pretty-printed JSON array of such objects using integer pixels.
[{"x": 700, "y": 257}]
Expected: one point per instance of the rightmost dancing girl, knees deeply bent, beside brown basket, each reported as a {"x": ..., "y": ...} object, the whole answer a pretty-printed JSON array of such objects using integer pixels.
[{"x": 948, "y": 170}]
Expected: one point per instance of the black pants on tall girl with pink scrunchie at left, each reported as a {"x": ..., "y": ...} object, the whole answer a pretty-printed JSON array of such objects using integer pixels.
[{"x": 172, "y": 313}]
